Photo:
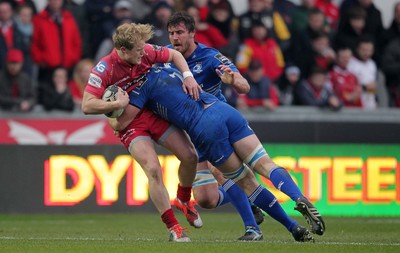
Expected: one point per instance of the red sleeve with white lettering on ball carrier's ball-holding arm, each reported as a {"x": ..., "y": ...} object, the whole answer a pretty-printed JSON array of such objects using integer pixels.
[{"x": 98, "y": 79}]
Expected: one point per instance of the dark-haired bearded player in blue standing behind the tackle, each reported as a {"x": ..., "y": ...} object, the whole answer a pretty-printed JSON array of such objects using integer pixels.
[{"x": 212, "y": 69}]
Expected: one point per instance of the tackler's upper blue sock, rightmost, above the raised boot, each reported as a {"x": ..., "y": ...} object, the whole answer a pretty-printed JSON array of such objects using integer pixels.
[{"x": 284, "y": 182}]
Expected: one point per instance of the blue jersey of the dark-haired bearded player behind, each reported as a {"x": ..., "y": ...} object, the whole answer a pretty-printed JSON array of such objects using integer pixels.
[{"x": 202, "y": 63}]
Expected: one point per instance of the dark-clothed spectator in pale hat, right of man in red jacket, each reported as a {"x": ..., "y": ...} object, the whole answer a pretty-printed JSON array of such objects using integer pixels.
[{"x": 287, "y": 83}]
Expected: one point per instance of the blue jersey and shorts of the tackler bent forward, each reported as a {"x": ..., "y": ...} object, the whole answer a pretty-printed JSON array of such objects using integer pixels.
[{"x": 212, "y": 130}]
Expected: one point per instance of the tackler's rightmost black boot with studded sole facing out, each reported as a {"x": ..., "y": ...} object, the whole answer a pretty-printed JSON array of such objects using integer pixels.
[{"x": 311, "y": 215}]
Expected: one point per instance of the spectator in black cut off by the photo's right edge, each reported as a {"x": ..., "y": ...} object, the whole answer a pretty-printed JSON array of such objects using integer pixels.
[{"x": 391, "y": 68}]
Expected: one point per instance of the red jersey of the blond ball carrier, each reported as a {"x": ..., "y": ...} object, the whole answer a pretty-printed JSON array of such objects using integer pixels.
[{"x": 111, "y": 69}]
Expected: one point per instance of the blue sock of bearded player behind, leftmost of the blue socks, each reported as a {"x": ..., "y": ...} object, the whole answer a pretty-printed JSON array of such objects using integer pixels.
[{"x": 239, "y": 200}]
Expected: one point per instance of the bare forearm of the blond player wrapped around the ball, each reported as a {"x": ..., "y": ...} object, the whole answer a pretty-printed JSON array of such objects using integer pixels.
[{"x": 94, "y": 105}]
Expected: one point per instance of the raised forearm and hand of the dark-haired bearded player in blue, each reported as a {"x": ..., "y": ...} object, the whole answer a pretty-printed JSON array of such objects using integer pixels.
[{"x": 234, "y": 79}]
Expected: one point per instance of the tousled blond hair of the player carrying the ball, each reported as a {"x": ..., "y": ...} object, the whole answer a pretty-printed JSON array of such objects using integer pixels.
[{"x": 128, "y": 35}]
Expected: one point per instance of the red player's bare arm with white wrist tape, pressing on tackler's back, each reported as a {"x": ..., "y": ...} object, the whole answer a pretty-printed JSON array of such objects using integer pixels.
[{"x": 189, "y": 83}]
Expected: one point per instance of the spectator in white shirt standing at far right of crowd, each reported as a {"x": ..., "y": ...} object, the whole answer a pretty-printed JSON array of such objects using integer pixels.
[{"x": 364, "y": 68}]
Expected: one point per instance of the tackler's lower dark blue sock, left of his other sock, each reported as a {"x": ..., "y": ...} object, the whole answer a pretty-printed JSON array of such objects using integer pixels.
[{"x": 265, "y": 200}]
